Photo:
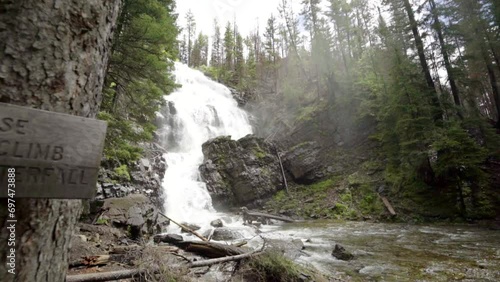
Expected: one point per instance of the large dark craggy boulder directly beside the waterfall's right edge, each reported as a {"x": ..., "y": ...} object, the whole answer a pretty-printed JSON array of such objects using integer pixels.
[{"x": 242, "y": 172}]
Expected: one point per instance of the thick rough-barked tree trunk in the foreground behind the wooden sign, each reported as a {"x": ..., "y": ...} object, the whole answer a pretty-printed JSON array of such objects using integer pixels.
[{"x": 53, "y": 56}]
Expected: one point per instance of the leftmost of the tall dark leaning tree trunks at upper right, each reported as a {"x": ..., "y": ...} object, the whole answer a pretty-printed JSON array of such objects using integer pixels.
[{"x": 437, "y": 113}]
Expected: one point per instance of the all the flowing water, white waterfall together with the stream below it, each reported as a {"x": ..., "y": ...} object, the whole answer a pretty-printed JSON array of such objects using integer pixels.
[{"x": 202, "y": 109}]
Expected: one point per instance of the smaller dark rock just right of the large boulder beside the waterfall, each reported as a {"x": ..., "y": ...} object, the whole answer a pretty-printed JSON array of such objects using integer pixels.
[{"x": 303, "y": 162}]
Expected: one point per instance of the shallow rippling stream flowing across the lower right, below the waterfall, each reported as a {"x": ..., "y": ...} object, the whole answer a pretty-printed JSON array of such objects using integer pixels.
[{"x": 398, "y": 252}]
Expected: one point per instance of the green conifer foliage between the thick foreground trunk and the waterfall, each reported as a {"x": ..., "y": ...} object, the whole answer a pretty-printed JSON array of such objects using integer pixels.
[{"x": 138, "y": 77}]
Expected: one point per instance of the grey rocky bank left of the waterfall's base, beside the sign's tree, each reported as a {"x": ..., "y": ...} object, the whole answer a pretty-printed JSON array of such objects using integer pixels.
[{"x": 132, "y": 204}]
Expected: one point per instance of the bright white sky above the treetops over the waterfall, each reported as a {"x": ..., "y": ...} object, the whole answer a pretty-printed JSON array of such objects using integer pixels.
[{"x": 248, "y": 13}]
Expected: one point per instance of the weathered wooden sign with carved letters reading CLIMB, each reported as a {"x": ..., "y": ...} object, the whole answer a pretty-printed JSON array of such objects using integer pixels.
[{"x": 54, "y": 155}]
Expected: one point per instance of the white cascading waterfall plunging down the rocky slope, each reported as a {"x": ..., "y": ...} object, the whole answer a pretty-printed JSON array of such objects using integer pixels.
[{"x": 199, "y": 110}]
